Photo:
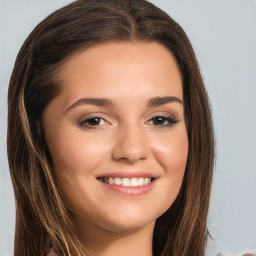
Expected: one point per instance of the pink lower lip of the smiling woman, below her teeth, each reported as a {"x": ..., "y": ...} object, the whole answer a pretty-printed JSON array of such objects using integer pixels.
[{"x": 131, "y": 191}]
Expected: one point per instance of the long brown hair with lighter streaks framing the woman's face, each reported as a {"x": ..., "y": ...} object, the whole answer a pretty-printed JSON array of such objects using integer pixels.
[{"x": 41, "y": 214}]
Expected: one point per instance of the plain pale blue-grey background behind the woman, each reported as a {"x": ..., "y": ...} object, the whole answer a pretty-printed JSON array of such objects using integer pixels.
[{"x": 223, "y": 33}]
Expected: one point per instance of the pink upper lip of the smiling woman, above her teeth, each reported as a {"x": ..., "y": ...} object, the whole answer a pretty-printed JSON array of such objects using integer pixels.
[{"x": 128, "y": 174}]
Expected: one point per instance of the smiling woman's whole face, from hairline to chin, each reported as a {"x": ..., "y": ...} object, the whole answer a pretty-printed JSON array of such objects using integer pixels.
[{"x": 117, "y": 136}]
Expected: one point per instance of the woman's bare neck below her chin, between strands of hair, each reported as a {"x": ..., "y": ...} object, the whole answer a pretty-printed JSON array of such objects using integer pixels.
[{"x": 104, "y": 242}]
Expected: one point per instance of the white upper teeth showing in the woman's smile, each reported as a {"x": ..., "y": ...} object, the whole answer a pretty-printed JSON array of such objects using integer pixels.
[{"x": 127, "y": 182}]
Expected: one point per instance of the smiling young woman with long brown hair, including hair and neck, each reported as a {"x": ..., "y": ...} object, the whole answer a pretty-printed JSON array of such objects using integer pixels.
[{"x": 110, "y": 138}]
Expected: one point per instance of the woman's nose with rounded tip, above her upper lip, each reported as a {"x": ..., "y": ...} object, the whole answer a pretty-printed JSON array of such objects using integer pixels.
[{"x": 131, "y": 144}]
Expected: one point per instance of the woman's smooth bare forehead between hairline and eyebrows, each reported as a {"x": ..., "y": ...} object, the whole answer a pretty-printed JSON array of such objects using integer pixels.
[{"x": 130, "y": 68}]
